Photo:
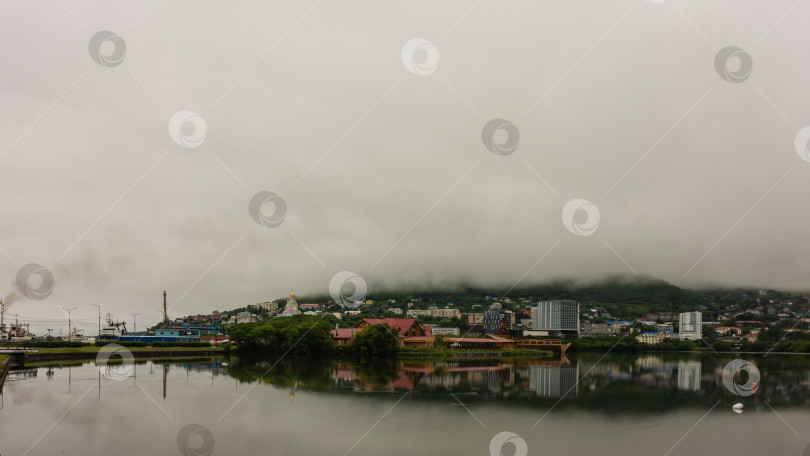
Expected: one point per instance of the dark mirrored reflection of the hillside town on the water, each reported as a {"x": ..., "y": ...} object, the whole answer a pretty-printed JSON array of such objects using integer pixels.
[{"x": 636, "y": 382}]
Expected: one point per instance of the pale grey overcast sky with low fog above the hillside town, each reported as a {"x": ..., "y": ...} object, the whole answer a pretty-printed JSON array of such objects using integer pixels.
[{"x": 374, "y": 142}]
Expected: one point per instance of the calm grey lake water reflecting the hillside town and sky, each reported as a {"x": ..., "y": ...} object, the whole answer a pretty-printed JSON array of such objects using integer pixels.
[{"x": 649, "y": 404}]
